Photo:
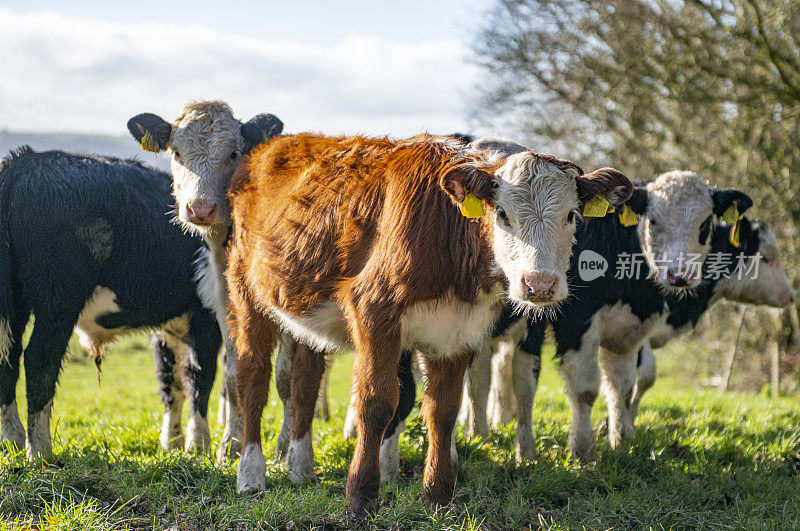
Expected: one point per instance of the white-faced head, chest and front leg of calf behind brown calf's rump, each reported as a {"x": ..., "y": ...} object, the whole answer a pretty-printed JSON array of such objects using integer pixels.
[{"x": 205, "y": 144}]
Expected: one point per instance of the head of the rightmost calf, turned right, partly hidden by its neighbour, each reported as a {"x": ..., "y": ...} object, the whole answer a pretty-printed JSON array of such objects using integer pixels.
[{"x": 761, "y": 278}]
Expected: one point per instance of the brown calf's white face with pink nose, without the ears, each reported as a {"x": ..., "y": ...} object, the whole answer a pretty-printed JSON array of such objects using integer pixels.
[{"x": 534, "y": 230}]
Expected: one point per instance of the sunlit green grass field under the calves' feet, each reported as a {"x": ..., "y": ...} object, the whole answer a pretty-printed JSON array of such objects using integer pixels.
[{"x": 699, "y": 459}]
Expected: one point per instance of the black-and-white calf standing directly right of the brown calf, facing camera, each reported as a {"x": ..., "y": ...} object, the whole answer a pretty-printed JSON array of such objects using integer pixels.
[{"x": 610, "y": 313}]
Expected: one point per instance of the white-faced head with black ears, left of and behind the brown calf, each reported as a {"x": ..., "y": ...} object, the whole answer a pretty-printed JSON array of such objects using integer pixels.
[{"x": 205, "y": 144}]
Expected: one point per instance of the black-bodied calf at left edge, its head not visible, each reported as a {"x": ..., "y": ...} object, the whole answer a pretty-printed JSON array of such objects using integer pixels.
[{"x": 88, "y": 244}]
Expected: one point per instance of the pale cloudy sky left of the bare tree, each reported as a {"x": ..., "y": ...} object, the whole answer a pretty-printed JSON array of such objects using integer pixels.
[{"x": 336, "y": 67}]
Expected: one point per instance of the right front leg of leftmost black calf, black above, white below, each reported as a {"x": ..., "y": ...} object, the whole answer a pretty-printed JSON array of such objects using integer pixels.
[{"x": 200, "y": 369}]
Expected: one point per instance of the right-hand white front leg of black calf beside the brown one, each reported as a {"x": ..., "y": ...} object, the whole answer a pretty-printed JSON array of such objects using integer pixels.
[{"x": 619, "y": 377}]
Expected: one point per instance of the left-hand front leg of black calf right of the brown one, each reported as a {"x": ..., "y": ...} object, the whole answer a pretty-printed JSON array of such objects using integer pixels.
[{"x": 581, "y": 374}]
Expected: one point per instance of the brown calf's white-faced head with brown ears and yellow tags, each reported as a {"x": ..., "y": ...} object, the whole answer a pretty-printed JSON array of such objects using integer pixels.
[{"x": 532, "y": 202}]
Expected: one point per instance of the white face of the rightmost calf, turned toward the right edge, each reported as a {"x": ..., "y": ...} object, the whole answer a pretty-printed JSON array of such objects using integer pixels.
[{"x": 770, "y": 285}]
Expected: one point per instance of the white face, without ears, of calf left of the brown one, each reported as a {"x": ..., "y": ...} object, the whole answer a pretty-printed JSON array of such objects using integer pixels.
[{"x": 205, "y": 148}]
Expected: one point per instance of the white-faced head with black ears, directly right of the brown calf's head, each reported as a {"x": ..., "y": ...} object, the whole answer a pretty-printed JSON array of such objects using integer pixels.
[{"x": 676, "y": 213}]
